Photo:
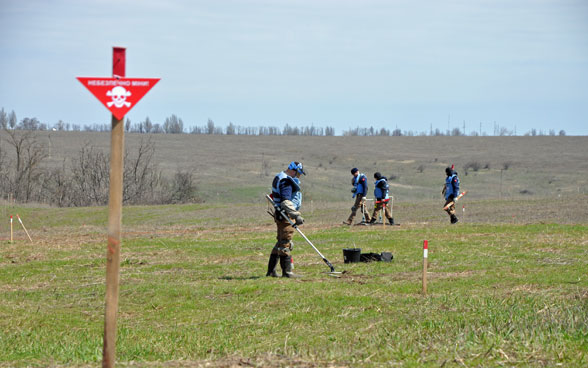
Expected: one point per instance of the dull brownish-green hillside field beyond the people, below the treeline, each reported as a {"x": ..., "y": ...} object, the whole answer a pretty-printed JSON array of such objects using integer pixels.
[{"x": 240, "y": 168}]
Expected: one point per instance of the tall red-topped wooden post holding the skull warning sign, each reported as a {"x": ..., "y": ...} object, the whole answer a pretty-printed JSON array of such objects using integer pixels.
[{"x": 114, "y": 222}]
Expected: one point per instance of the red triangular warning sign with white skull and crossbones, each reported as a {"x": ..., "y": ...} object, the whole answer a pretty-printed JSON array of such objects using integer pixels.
[{"x": 119, "y": 95}]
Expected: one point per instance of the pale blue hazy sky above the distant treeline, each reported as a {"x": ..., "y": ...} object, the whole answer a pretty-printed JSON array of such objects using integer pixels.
[{"x": 412, "y": 65}]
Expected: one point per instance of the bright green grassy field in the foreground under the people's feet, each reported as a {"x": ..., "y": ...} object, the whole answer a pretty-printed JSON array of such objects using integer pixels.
[{"x": 508, "y": 286}]
